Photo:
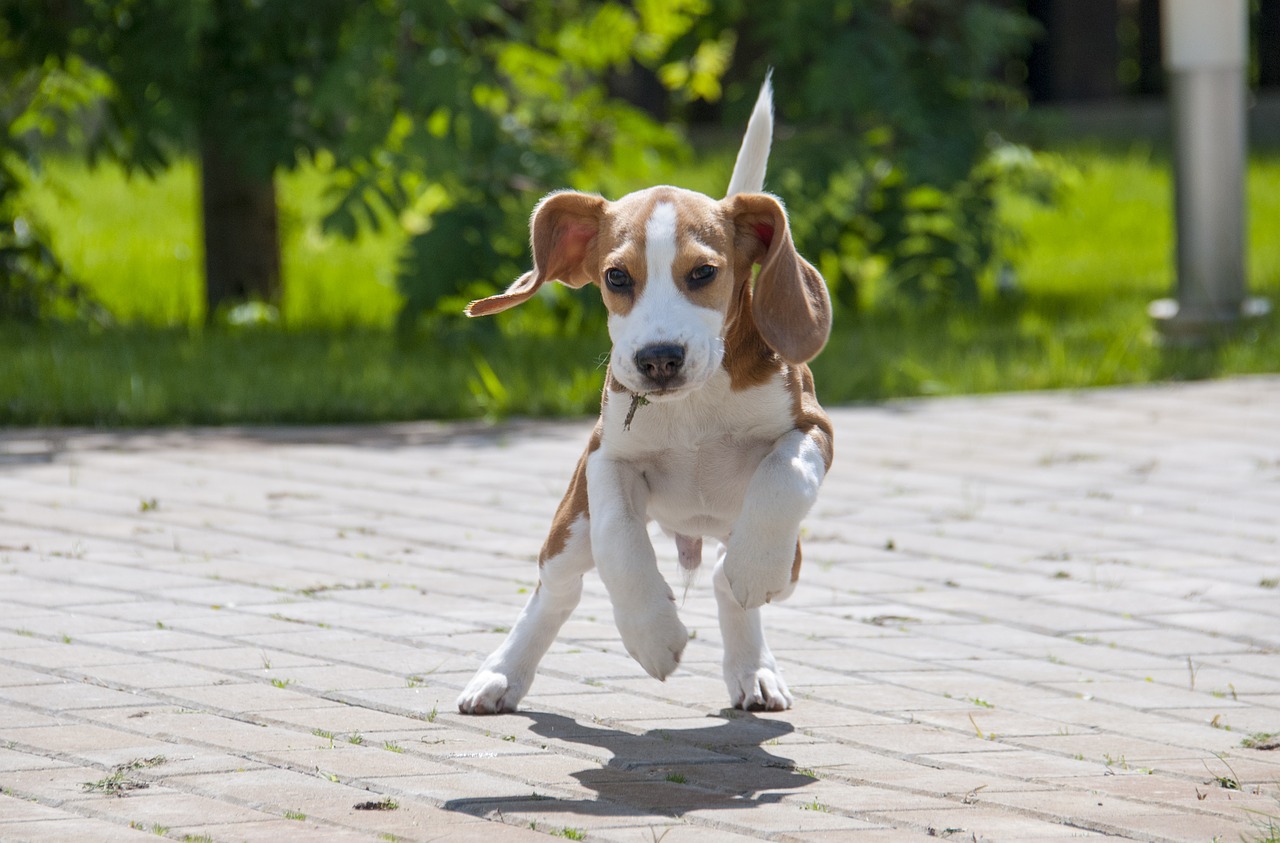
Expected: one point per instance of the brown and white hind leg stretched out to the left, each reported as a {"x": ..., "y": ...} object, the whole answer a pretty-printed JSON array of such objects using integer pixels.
[{"x": 505, "y": 677}]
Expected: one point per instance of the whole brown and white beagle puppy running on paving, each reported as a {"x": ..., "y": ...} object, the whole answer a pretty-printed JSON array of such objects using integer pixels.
[{"x": 729, "y": 441}]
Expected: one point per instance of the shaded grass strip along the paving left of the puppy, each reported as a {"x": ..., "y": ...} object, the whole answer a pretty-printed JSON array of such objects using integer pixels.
[{"x": 67, "y": 375}]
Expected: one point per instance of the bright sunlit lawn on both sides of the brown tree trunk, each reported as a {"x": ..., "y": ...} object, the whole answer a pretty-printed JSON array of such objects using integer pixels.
[{"x": 136, "y": 245}]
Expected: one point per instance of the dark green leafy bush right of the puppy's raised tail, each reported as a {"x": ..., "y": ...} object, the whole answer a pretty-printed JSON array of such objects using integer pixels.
[{"x": 902, "y": 180}]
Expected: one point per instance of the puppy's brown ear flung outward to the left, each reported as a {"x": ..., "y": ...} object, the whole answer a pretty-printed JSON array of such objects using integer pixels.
[{"x": 563, "y": 233}]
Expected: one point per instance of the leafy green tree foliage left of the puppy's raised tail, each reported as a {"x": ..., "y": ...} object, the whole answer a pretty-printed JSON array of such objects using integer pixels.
[{"x": 446, "y": 118}]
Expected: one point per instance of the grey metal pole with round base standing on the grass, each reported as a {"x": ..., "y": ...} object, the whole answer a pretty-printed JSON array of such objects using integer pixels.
[{"x": 1205, "y": 57}]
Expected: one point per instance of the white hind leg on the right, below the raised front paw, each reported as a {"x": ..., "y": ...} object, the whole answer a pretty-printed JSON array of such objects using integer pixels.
[{"x": 751, "y": 672}]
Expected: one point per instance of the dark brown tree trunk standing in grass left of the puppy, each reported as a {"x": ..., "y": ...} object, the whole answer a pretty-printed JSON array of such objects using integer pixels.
[{"x": 243, "y": 245}]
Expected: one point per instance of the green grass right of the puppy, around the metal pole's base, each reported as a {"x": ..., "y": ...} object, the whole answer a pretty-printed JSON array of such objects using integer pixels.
[{"x": 1089, "y": 268}]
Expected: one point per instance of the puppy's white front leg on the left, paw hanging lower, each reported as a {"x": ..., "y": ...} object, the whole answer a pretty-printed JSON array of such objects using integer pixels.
[{"x": 644, "y": 607}]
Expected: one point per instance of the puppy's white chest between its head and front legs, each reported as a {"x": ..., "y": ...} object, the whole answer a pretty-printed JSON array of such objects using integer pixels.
[{"x": 698, "y": 455}]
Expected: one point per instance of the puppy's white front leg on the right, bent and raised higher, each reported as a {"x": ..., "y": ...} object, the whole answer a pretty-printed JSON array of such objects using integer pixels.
[{"x": 764, "y": 552}]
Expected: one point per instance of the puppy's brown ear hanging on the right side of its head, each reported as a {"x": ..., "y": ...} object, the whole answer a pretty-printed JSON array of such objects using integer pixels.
[{"x": 790, "y": 304}]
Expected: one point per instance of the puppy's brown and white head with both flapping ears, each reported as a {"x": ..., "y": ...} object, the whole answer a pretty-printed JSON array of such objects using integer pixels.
[{"x": 675, "y": 271}]
